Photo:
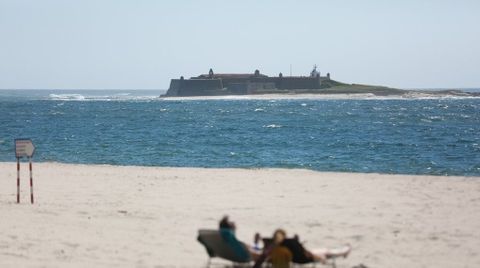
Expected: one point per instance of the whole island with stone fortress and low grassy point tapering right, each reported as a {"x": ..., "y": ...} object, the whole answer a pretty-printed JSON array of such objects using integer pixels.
[{"x": 256, "y": 83}]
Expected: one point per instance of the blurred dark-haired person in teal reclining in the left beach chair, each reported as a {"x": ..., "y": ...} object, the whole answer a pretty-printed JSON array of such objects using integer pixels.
[{"x": 227, "y": 231}]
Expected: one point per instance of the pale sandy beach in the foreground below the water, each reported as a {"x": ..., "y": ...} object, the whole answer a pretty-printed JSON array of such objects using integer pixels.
[{"x": 119, "y": 216}]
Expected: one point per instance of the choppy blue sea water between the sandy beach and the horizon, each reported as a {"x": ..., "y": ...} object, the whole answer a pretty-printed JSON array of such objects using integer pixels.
[{"x": 438, "y": 136}]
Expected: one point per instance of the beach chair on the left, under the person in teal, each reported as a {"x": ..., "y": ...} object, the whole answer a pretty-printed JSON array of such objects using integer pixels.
[{"x": 217, "y": 246}]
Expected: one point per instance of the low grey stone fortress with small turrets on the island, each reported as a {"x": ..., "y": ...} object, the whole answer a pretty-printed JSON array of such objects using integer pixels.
[{"x": 213, "y": 84}]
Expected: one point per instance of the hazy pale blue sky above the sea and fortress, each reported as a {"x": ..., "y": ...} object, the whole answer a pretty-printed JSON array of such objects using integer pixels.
[{"x": 142, "y": 44}]
